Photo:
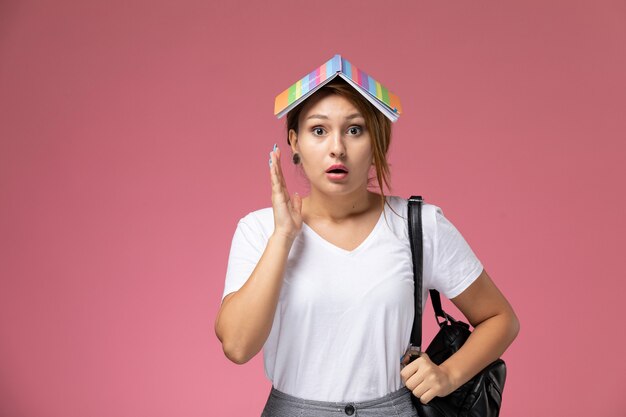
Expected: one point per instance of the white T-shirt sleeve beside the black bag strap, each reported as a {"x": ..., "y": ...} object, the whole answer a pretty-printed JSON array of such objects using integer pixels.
[{"x": 455, "y": 266}]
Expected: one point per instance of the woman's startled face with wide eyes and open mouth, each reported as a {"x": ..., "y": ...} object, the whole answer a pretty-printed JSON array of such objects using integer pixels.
[{"x": 333, "y": 132}]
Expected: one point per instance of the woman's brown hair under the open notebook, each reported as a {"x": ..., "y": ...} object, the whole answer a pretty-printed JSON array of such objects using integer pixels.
[{"x": 377, "y": 124}]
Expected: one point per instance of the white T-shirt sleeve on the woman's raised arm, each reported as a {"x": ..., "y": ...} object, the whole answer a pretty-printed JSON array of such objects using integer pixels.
[{"x": 247, "y": 246}]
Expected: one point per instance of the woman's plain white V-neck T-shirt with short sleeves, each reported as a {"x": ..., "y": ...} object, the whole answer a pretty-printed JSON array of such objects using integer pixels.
[{"x": 344, "y": 318}]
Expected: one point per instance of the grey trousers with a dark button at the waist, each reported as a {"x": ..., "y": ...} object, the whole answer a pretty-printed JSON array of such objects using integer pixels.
[{"x": 396, "y": 404}]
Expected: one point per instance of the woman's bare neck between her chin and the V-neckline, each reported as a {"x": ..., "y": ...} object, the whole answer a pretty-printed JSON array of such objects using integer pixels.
[{"x": 337, "y": 208}]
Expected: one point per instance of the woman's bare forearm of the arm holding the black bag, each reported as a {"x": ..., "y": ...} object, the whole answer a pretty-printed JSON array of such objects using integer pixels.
[{"x": 487, "y": 343}]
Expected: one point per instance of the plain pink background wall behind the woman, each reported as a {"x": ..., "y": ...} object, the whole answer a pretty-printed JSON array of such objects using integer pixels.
[{"x": 134, "y": 135}]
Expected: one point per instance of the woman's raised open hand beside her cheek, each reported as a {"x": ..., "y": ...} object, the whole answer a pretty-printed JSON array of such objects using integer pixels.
[{"x": 287, "y": 210}]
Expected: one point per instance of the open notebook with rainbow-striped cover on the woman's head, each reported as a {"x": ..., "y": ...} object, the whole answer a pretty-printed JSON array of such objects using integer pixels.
[{"x": 387, "y": 102}]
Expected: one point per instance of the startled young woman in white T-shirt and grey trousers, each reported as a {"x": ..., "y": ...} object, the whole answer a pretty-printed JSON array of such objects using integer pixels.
[{"x": 324, "y": 283}]
